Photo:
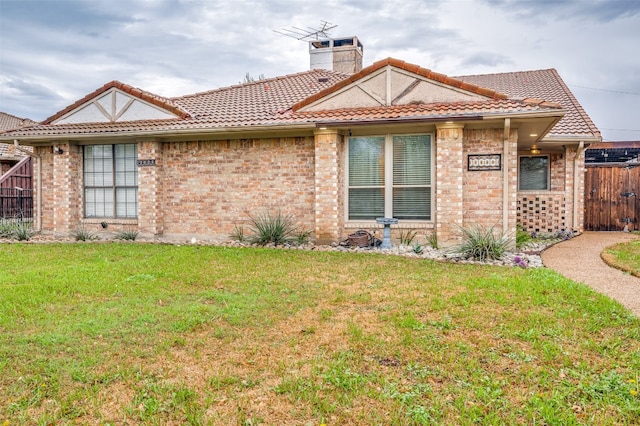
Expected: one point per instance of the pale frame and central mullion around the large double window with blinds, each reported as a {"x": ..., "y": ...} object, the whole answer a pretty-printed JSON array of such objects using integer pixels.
[{"x": 388, "y": 177}]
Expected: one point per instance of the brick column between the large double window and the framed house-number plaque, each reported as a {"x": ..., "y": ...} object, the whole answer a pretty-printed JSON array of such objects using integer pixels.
[{"x": 449, "y": 193}]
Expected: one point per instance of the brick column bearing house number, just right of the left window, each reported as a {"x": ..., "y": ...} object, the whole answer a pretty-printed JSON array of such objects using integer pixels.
[{"x": 150, "y": 214}]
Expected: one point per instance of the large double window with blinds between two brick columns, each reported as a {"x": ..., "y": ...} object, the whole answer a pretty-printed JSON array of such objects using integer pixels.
[{"x": 402, "y": 190}]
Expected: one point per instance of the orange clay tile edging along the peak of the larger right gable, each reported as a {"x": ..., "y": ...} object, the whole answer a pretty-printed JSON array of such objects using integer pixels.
[{"x": 427, "y": 73}]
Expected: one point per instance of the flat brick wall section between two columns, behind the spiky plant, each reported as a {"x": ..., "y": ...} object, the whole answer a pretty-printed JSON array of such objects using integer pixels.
[{"x": 209, "y": 187}]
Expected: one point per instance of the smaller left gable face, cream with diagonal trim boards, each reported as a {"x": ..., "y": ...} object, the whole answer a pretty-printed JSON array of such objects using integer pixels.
[{"x": 112, "y": 106}]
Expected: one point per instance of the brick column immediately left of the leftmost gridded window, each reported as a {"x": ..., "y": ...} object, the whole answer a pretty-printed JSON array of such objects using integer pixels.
[{"x": 67, "y": 188}]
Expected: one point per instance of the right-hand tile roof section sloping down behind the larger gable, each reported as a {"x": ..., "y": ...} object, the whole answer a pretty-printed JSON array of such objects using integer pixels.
[{"x": 543, "y": 84}]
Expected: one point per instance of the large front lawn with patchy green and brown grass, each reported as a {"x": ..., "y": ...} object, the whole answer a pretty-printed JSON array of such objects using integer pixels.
[{"x": 156, "y": 334}]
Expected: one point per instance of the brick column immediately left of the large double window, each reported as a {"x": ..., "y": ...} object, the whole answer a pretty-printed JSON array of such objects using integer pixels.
[{"x": 327, "y": 194}]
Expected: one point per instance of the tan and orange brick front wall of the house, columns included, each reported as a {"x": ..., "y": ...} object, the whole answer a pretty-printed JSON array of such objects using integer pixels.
[{"x": 207, "y": 188}]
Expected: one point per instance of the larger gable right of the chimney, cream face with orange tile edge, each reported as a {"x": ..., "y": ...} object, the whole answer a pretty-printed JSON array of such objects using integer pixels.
[{"x": 392, "y": 83}]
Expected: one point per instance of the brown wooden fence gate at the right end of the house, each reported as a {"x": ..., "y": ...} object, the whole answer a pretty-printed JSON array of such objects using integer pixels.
[{"x": 611, "y": 197}]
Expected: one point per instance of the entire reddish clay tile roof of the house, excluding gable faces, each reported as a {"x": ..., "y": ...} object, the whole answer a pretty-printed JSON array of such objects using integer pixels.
[{"x": 277, "y": 102}]
